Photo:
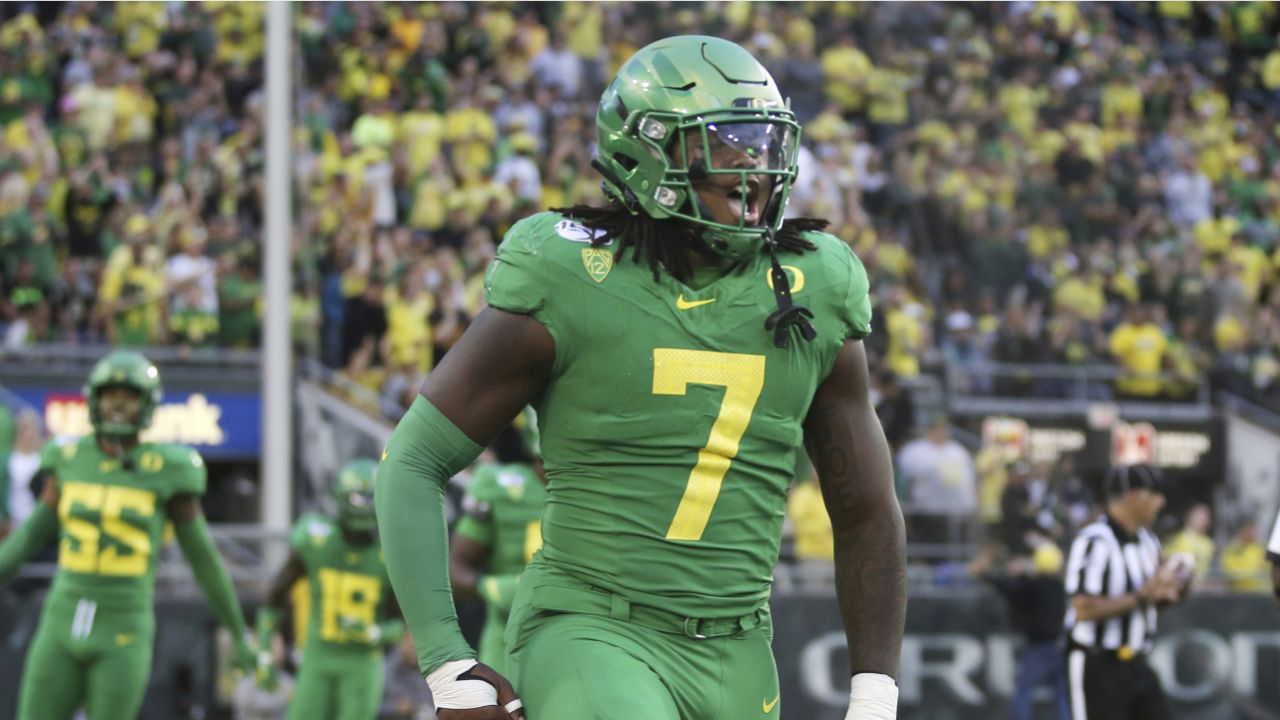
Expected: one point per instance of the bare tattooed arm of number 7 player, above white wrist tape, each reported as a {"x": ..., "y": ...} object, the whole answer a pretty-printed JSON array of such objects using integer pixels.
[{"x": 847, "y": 445}]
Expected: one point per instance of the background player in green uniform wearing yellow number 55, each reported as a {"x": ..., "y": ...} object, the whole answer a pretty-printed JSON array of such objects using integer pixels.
[{"x": 107, "y": 499}]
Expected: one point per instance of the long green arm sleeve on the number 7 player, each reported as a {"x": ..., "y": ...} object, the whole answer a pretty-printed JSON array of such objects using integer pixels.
[{"x": 424, "y": 453}]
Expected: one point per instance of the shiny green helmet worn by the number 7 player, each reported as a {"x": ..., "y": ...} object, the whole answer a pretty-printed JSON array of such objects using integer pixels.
[{"x": 688, "y": 92}]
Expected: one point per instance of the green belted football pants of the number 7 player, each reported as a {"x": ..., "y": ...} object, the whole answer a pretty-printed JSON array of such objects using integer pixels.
[{"x": 591, "y": 666}]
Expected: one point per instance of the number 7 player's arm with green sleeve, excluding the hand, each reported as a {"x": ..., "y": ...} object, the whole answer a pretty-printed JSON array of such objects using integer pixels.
[{"x": 499, "y": 366}]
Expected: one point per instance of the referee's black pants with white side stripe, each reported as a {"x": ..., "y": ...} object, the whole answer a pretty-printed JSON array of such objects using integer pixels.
[{"x": 1105, "y": 687}]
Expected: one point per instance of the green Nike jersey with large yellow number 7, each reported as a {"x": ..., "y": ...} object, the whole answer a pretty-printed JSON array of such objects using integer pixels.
[{"x": 670, "y": 422}]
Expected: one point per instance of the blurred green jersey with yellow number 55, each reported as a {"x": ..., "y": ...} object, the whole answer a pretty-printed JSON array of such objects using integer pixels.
[{"x": 112, "y": 517}]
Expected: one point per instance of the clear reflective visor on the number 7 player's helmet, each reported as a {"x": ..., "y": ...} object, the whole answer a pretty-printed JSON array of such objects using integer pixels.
[{"x": 742, "y": 147}]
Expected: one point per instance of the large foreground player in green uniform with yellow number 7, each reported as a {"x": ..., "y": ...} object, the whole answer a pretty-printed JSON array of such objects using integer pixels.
[{"x": 678, "y": 345}]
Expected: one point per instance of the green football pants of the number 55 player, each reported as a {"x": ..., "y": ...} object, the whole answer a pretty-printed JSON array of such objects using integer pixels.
[{"x": 88, "y": 657}]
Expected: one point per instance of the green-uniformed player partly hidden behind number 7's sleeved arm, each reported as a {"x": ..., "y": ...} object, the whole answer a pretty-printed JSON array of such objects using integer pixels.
[{"x": 499, "y": 535}]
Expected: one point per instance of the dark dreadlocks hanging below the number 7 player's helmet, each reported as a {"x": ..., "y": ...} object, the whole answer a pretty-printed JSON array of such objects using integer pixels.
[{"x": 661, "y": 244}]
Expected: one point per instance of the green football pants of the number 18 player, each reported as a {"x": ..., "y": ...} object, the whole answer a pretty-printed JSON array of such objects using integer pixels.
[{"x": 346, "y": 686}]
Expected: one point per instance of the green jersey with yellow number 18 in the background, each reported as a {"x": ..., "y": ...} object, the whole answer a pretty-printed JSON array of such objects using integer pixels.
[{"x": 349, "y": 584}]
